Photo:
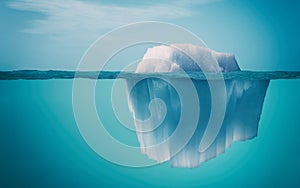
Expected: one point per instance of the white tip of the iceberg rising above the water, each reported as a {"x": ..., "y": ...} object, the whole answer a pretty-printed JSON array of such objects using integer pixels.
[{"x": 187, "y": 57}]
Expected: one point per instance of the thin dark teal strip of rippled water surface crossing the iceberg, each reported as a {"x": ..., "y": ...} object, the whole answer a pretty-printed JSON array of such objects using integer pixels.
[{"x": 60, "y": 74}]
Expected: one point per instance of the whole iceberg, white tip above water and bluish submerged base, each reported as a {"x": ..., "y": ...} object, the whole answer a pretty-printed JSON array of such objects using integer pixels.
[{"x": 157, "y": 105}]
